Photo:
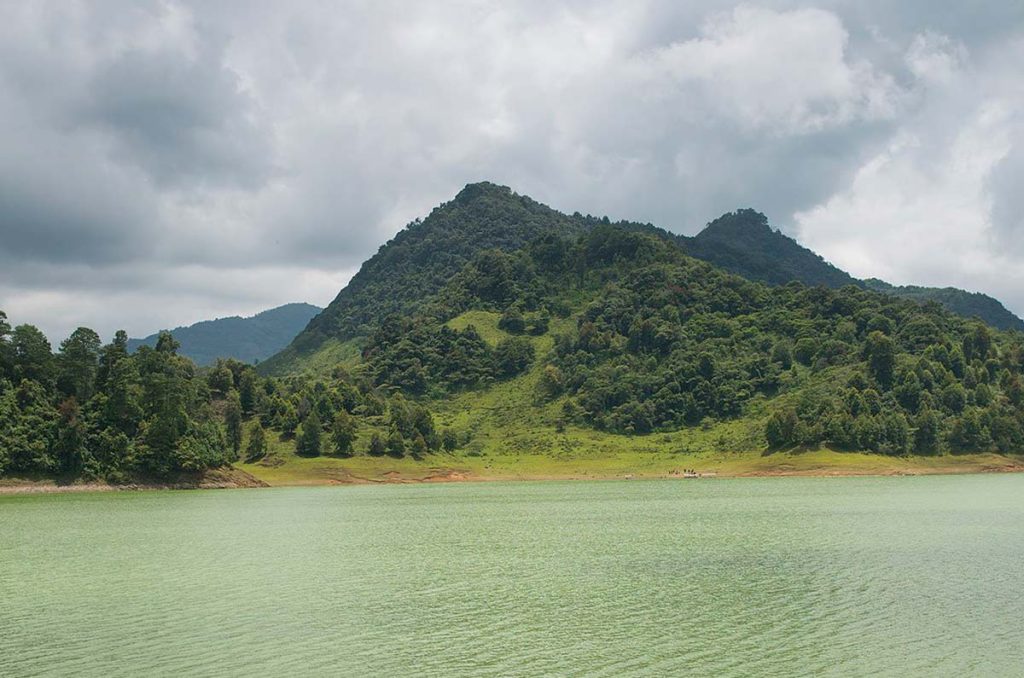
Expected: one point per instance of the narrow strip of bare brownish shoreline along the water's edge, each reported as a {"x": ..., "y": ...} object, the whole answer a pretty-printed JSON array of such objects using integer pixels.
[{"x": 235, "y": 478}]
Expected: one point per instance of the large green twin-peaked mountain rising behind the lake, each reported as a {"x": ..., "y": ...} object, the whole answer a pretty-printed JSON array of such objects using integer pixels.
[{"x": 511, "y": 323}]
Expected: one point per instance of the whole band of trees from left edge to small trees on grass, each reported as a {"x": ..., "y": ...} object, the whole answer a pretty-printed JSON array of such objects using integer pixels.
[{"x": 97, "y": 411}]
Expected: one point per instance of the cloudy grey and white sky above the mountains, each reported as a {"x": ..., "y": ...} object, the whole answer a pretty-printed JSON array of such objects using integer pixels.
[{"x": 165, "y": 162}]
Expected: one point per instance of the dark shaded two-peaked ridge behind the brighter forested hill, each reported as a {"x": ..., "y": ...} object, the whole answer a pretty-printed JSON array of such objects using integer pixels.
[{"x": 485, "y": 216}]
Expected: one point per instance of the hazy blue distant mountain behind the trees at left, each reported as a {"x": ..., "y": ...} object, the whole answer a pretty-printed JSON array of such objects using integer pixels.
[{"x": 247, "y": 340}]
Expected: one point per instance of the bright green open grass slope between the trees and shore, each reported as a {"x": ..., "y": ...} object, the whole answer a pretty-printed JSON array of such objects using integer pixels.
[{"x": 515, "y": 438}]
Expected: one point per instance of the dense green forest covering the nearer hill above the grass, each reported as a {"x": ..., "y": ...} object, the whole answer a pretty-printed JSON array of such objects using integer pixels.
[{"x": 664, "y": 342}]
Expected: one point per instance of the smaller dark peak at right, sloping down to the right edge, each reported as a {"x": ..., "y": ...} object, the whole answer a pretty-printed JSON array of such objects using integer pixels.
[{"x": 744, "y": 244}]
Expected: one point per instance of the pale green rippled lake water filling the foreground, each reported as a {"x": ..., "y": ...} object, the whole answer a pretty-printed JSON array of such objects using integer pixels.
[{"x": 845, "y": 577}]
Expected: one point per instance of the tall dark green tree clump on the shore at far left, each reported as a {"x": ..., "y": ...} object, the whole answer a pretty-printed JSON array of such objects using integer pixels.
[{"x": 96, "y": 411}]
